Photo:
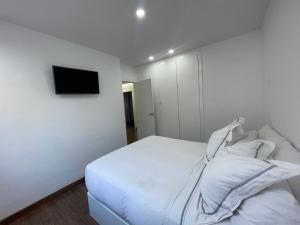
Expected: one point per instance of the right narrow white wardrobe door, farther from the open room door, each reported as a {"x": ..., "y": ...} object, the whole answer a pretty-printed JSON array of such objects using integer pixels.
[{"x": 189, "y": 96}]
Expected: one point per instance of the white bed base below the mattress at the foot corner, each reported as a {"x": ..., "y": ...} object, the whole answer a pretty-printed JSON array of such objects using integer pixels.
[{"x": 102, "y": 214}]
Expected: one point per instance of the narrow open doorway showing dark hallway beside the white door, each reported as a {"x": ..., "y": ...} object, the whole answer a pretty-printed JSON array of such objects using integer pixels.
[{"x": 129, "y": 105}]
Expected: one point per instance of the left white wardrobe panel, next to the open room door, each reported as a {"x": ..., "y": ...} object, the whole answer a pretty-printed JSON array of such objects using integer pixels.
[{"x": 166, "y": 103}]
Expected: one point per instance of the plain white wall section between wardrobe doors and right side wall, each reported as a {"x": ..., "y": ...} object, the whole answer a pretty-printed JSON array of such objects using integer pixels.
[{"x": 233, "y": 76}]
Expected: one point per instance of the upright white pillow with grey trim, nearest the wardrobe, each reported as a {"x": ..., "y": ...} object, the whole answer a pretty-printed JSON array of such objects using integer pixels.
[{"x": 225, "y": 137}]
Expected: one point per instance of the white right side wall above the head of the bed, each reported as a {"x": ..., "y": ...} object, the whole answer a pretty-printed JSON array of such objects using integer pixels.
[{"x": 282, "y": 70}]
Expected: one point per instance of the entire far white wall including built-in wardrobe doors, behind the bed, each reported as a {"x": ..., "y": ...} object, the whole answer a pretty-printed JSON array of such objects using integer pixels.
[{"x": 224, "y": 83}]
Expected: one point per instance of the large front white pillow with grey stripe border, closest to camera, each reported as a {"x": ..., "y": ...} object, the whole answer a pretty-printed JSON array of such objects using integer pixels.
[{"x": 228, "y": 180}]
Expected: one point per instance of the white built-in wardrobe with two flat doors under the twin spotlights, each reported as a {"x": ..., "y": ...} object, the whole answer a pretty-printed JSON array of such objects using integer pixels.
[{"x": 177, "y": 84}]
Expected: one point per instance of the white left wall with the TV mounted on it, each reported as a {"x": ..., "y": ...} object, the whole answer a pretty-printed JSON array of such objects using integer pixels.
[{"x": 46, "y": 140}]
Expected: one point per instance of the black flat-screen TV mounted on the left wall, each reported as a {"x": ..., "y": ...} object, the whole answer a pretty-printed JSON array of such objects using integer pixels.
[{"x": 75, "y": 81}]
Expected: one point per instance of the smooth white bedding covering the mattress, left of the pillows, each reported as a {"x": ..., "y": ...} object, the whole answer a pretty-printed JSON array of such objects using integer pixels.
[{"x": 144, "y": 182}]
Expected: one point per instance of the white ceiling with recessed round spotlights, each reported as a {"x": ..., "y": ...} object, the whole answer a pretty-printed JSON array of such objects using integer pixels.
[{"x": 111, "y": 26}]
